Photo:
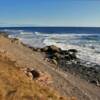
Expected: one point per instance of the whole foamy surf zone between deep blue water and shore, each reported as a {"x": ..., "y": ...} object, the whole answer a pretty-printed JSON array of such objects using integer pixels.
[{"x": 64, "y": 41}]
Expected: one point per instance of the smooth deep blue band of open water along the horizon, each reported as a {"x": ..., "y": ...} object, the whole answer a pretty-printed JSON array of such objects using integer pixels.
[{"x": 78, "y": 30}]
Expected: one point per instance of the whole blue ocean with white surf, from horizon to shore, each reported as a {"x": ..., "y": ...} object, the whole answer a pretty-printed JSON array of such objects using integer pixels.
[{"x": 85, "y": 39}]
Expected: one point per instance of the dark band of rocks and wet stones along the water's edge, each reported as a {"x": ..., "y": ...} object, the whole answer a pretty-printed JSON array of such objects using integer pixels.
[{"x": 67, "y": 60}]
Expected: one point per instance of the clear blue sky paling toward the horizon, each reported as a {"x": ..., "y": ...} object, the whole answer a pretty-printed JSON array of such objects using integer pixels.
[{"x": 50, "y": 12}]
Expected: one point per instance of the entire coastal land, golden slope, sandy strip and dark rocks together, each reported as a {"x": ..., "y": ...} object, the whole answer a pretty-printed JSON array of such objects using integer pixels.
[{"x": 29, "y": 73}]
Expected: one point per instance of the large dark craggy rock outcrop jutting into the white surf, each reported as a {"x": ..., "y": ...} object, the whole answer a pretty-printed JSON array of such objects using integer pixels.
[{"x": 58, "y": 56}]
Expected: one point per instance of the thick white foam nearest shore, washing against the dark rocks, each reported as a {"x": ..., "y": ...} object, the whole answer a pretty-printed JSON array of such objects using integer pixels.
[{"x": 84, "y": 53}]
